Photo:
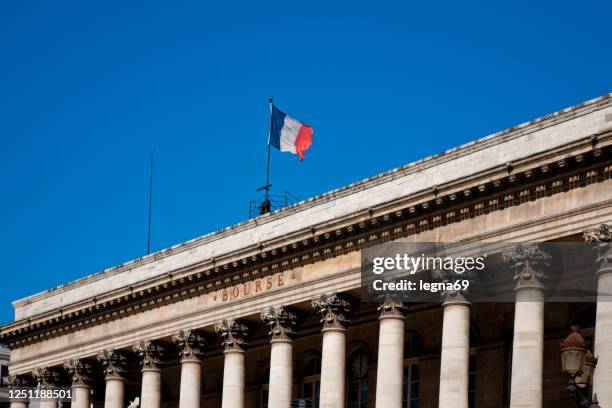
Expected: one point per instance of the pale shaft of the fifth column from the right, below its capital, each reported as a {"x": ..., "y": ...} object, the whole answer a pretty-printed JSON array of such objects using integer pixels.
[{"x": 333, "y": 368}]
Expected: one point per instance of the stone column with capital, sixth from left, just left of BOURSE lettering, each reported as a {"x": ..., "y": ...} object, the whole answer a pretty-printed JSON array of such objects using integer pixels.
[{"x": 190, "y": 345}]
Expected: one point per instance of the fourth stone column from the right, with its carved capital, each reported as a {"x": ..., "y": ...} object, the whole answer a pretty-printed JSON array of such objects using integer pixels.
[{"x": 390, "y": 369}]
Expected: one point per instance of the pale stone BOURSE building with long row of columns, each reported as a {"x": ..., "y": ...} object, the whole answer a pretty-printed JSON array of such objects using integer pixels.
[{"x": 267, "y": 313}]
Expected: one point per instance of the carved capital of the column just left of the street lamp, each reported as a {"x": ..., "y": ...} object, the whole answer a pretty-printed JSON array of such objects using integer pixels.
[{"x": 528, "y": 263}]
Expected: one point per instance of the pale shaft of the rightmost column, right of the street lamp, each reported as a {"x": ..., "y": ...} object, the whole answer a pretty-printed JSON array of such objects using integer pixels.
[{"x": 602, "y": 379}]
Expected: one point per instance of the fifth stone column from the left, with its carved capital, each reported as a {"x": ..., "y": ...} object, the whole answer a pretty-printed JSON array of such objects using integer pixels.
[{"x": 150, "y": 353}]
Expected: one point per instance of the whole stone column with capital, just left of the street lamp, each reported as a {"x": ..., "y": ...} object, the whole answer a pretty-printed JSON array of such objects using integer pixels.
[{"x": 529, "y": 264}]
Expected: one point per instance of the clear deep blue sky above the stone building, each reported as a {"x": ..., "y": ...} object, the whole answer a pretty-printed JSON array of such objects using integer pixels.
[{"x": 86, "y": 88}]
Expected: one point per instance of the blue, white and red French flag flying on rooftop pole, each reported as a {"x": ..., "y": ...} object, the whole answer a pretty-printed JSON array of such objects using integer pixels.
[{"x": 289, "y": 135}]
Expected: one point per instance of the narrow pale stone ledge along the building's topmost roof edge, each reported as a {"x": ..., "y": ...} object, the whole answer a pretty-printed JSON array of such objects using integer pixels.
[{"x": 413, "y": 167}]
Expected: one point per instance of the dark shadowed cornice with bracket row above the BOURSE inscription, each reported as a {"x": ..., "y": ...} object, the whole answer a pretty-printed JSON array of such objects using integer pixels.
[{"x": 449, "y": 204}]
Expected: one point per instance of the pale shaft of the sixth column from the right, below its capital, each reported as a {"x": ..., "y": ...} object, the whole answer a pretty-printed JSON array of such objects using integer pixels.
[{"x": 281, "y": 374}]
